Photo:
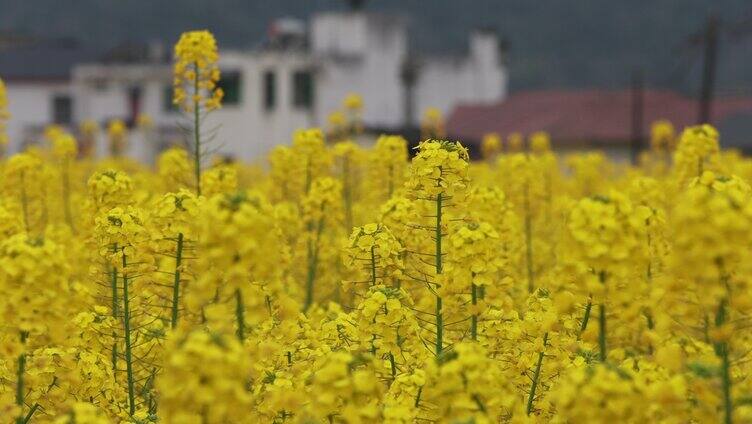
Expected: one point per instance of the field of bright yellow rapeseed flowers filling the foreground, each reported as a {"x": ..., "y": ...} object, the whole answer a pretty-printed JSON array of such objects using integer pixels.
[{"x": 348, "y": 283}]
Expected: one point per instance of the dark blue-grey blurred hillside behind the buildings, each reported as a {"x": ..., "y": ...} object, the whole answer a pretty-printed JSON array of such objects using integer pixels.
[{"x": 552, "y": 43}]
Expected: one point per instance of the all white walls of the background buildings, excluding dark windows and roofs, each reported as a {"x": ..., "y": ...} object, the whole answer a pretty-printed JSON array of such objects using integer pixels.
[{"x": 349, "y": 52}]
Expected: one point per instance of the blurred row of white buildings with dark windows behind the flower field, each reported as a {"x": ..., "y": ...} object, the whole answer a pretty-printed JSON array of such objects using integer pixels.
[{"x": 294, "y": 79}]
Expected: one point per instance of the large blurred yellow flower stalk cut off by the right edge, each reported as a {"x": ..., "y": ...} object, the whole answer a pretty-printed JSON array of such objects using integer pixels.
[{"x": 711, "y": 221}]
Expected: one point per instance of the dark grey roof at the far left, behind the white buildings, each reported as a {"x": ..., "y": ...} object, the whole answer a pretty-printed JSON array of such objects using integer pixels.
[{"x": 43, "y": 61}]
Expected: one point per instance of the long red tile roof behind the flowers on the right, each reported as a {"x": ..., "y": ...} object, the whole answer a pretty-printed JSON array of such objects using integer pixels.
[{"x": 581, "y": 117}]
